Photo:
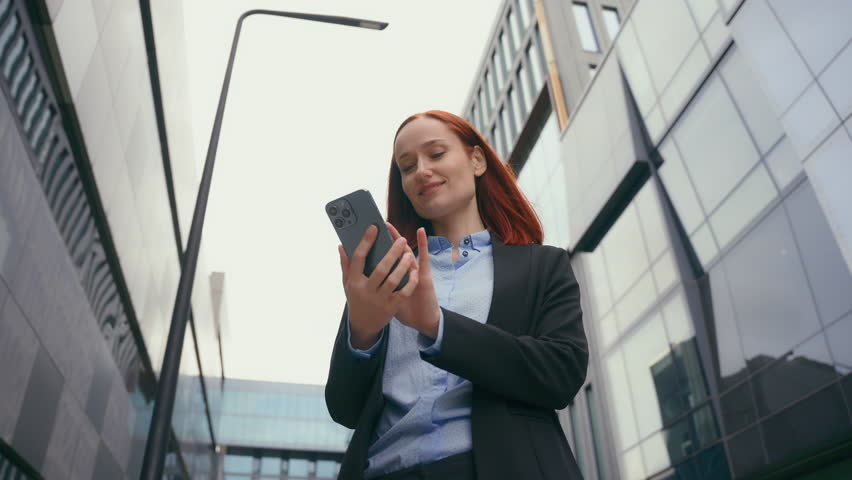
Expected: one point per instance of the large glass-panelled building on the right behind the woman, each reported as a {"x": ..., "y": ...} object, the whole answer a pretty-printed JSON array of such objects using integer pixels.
[{"x": 694, "y": 157}]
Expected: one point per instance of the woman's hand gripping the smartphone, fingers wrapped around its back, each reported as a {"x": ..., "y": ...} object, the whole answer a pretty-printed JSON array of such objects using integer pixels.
[{"x": 372, "y": 303}]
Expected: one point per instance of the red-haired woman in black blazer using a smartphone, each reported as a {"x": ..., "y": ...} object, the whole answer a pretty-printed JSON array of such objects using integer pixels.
[{"x": 457, "y": 375}]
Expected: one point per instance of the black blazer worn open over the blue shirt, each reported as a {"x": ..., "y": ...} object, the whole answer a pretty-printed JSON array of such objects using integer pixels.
[{"x": 526, "y": 361}]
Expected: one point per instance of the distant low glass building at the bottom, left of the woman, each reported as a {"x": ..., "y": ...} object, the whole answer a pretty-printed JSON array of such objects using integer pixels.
[{"x": 278, "y": 431}]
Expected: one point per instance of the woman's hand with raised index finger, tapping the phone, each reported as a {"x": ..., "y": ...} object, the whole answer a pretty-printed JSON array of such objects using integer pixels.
[{"x": 420, "y": 309}]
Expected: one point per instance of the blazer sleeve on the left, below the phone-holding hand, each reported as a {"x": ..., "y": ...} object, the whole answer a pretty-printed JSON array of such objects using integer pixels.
[{"x": 349, "y": 379}]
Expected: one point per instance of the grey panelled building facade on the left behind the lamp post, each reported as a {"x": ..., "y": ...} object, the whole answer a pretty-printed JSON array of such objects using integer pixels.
[{"x": 91, "y": 210}]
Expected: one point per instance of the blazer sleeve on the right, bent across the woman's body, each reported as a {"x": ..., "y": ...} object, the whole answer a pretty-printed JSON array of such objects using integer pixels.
[{"x": 544, "y": 369}]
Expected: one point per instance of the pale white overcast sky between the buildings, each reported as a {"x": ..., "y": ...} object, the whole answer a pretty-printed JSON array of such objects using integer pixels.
[{"x": 311, "y": 114}]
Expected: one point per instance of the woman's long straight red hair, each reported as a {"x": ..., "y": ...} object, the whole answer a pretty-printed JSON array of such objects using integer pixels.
[{"x": 503, "y": 208}]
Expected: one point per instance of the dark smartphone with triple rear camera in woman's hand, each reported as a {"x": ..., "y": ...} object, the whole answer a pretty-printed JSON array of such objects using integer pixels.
[{"x": 351, "y": 215}]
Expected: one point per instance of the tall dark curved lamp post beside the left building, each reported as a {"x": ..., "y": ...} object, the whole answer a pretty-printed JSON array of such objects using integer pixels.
[{"x": 158, "y": 436}]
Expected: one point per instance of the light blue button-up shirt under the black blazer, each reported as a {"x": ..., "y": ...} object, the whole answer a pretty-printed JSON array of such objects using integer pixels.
[{"x": 427, "y": 410}]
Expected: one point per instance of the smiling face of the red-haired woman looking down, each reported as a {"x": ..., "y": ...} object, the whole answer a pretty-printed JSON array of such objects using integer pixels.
[{"x": 437, "y": 169}]
